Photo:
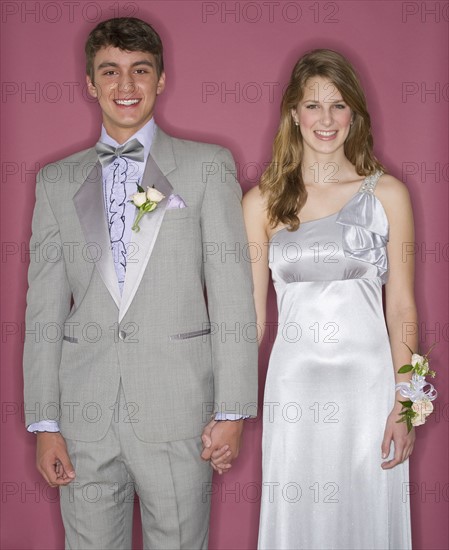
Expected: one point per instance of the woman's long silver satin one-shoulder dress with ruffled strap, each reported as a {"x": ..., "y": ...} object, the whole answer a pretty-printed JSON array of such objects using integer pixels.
[{"x": 329, "y": 389}]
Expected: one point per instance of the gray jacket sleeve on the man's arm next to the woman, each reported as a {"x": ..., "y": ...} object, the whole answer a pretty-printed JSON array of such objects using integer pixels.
[{"x": 227, "y": 272}]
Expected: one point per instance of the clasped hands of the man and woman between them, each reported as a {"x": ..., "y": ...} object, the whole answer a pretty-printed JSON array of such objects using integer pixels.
[{"x": 221, "y": 443}]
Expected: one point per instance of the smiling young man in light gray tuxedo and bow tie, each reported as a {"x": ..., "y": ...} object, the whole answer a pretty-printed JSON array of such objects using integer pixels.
[{"x": 119, "y": 402}]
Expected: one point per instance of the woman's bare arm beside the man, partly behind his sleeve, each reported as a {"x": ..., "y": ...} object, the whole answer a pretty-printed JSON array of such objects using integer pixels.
[{"x": 256, "y": 222}]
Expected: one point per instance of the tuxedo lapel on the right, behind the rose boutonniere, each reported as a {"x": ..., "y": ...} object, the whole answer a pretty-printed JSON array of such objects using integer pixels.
[{"x": 160, "y": 162}]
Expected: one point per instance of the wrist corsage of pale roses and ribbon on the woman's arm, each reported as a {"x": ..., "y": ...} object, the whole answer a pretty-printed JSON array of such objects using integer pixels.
[{"x": 418, "y": 391}]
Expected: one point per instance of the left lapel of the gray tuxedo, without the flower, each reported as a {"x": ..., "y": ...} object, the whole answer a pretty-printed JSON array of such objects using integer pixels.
[{"x": 89, "y": 205}]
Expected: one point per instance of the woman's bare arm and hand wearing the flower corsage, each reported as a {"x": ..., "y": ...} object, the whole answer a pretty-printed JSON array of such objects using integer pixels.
[{"x": 401, "y": 314}]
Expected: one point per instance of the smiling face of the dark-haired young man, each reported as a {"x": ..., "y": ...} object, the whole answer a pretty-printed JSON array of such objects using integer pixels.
[{"x": 126, "y": 85}]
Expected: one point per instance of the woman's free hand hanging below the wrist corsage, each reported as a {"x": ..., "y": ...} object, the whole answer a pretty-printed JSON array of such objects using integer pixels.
[{"x": 403, "y": 441}]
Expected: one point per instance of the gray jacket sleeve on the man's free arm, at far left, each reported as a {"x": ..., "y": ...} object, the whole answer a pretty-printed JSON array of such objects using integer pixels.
[{"x": 48, "y": 305}]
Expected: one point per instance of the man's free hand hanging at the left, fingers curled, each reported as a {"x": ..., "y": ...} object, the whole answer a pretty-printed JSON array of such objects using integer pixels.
[{"x": 52, "y": 459}]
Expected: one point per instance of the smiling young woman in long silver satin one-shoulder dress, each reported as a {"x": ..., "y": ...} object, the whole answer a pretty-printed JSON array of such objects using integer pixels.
[{"x": 330, "y": 224}]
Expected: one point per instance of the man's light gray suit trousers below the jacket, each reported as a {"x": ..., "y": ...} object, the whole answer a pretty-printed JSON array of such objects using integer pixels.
[{"x": 172, "y": 482}]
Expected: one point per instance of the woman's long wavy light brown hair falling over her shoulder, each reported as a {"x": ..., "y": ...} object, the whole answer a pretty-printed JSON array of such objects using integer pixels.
[{"x": 282, "y": 181}]
